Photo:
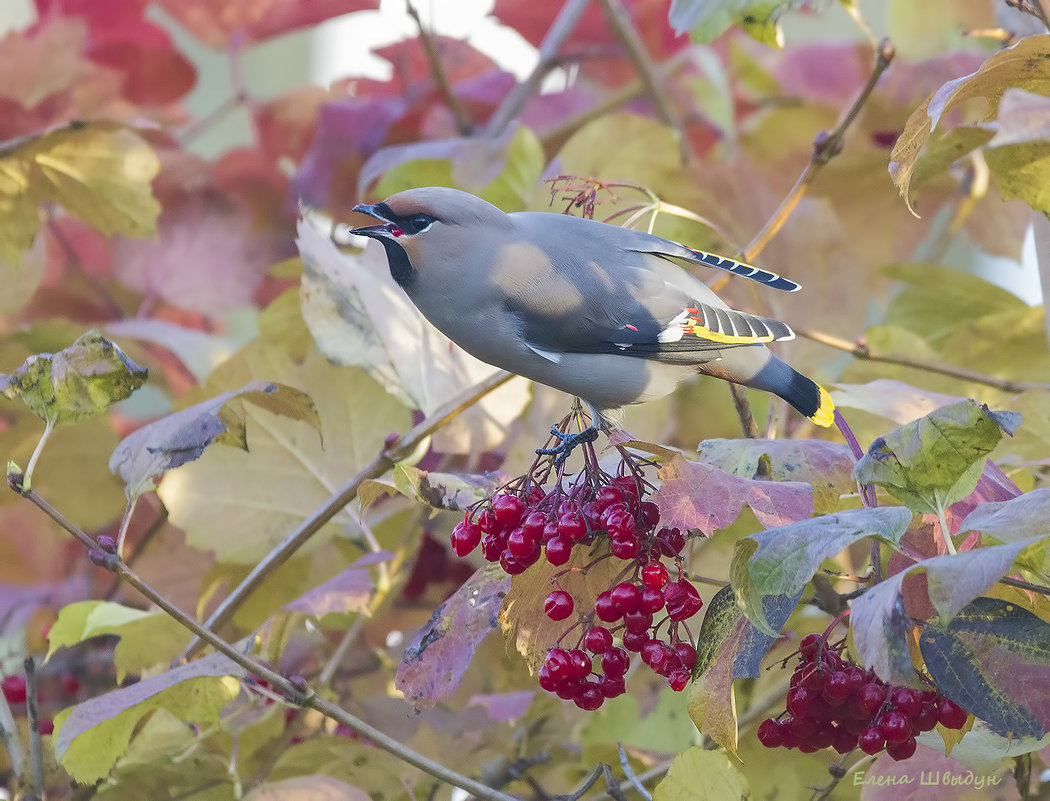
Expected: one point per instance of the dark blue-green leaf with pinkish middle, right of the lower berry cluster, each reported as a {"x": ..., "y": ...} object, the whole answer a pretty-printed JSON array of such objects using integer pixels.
[{"x": 994, "y": 660}]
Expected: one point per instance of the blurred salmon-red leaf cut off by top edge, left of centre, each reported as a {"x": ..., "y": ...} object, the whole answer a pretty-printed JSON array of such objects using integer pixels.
[{"x": 241, "y": 23}]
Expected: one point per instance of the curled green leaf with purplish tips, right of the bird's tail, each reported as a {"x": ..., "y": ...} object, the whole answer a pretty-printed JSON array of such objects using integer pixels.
[{"x": 937, "y": 460}]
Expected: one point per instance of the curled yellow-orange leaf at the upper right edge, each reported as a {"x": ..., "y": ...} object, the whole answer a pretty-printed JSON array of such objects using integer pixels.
[{"x": 918, "y": 152}]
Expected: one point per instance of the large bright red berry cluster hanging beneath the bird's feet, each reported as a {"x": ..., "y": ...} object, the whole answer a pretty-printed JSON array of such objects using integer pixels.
[{"x": 644, "y": 613}]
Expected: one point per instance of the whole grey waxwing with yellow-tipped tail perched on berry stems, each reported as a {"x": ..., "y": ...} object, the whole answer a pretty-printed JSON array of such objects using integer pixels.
[{"x": 595, "y": 310}]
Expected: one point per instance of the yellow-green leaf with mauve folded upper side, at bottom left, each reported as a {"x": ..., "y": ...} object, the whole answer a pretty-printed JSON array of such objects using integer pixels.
[{"x": 92, "y": 736}]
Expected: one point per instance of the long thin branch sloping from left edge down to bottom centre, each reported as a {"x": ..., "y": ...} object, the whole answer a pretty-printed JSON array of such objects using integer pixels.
[{"x": 296, "y": 690}]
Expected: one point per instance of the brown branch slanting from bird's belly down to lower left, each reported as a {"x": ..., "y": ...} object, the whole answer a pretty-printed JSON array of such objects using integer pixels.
[{"x": 381, "y": 465}]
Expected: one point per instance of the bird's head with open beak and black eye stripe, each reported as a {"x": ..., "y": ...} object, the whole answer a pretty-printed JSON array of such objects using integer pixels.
[{"x": 429, "y": 225}]
